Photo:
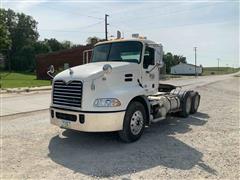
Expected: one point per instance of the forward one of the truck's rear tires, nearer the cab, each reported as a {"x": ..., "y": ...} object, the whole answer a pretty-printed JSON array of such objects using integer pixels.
[{"x": 186, "y": 105}]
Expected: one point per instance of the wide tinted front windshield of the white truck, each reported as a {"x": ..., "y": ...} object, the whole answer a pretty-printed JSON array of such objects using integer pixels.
[{"x": 129, "y": 51}]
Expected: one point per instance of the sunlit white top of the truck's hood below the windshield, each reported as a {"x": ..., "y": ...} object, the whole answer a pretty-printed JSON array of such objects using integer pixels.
[{"x": 92, "y": 70}]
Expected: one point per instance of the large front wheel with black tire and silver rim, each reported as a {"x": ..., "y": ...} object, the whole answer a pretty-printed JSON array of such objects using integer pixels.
[{"x": 134, "y": 122}]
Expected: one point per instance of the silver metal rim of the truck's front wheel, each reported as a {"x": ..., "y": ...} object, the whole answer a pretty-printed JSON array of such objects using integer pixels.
[{"x": 136, "y": 123}]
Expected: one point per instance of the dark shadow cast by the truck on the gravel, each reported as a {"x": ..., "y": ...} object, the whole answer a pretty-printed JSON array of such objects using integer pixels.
[{"x": 103, "y": 155}]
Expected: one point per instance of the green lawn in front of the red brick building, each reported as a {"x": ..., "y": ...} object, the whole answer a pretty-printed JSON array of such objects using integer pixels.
[{"x": 18, "y": 79}]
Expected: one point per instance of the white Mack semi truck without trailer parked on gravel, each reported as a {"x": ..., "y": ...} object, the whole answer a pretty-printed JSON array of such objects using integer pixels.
[{"x": 118, "y": 90}]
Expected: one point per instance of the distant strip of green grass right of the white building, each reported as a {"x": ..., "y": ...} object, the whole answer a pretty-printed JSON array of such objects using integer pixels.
[{"x": 221, "y": 70}]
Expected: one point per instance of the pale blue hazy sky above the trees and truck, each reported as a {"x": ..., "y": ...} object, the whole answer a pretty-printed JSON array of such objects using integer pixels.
[{"x": 211, "y": 26}]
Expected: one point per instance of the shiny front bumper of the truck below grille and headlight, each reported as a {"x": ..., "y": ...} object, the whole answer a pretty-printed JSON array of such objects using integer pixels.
[{"x": 93, "y": 121}]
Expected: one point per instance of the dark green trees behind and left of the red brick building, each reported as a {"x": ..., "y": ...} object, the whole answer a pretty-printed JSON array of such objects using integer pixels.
[{"x": 18, "y": 33}]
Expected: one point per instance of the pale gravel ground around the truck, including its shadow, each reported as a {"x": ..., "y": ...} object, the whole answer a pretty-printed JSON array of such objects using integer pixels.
[{"x": 205, "y": 145}]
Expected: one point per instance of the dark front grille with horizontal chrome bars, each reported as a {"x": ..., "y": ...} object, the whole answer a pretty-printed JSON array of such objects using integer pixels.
[{"x": 67, "y": 94}]
